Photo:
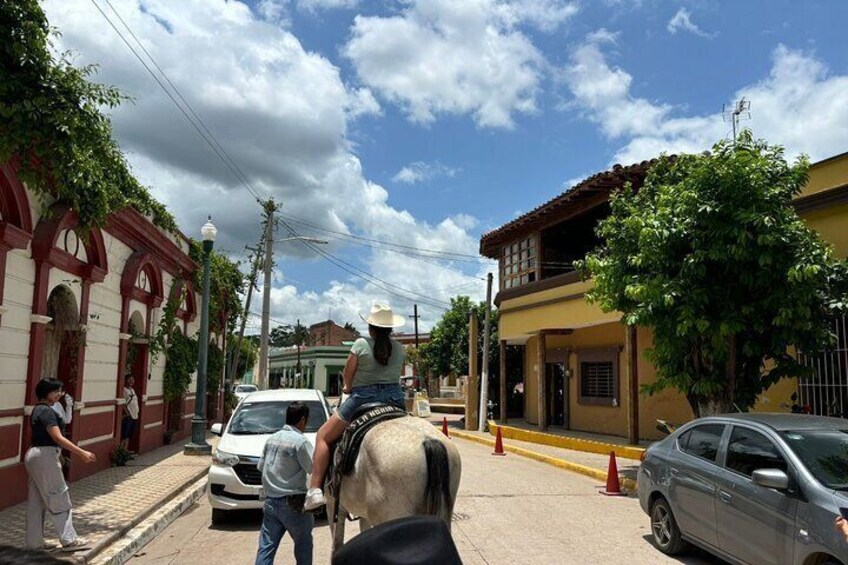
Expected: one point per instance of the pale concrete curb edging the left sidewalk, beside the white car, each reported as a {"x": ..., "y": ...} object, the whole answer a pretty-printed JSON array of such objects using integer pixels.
[{"x": 147, "y": 529}]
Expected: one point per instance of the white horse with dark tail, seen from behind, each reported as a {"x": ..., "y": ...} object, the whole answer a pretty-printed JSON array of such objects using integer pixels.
[{"x": 405, "y": 467}]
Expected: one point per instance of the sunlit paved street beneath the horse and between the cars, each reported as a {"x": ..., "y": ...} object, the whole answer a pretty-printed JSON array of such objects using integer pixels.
[{"x": 510, "y": 510}]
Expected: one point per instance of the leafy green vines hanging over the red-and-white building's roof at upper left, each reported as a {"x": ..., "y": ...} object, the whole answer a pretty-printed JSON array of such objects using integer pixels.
[{"x": 52, "y": 127}]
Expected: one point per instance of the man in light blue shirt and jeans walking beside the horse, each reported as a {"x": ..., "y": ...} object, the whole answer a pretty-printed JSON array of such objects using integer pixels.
[{"x": 285, "y": 461}]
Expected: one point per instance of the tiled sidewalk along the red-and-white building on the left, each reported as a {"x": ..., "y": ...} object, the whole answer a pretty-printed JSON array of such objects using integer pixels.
[{"x": 110, "y": 503}]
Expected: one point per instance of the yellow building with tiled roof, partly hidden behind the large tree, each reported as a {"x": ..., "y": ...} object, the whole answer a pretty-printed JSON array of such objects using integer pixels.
[{"x": 593, "y": 366}]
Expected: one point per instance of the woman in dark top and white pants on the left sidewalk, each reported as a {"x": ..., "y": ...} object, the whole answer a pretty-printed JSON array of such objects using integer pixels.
[{"x": 48, "y": 492}]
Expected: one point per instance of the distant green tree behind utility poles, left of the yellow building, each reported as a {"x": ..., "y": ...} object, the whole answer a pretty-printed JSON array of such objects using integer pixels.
[{"x": 447, "y": 351}]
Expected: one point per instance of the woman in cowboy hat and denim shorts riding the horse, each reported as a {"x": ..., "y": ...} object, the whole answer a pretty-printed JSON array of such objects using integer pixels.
[{"x": 371, "y": 374}]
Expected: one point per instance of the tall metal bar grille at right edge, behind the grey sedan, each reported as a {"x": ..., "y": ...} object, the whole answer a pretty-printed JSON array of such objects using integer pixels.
[{"x": 825, "y": 393}]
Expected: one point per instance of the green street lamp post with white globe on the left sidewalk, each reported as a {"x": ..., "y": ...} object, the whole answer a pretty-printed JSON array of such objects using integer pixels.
[{"x": 198, "y": 445}]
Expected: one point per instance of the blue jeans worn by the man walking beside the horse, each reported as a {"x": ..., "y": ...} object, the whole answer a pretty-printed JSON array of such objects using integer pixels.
[{"x": 277, "y": 519}]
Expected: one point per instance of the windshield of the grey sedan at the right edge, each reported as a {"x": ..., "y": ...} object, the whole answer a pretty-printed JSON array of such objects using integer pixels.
[{"x": 824, "y": 453}]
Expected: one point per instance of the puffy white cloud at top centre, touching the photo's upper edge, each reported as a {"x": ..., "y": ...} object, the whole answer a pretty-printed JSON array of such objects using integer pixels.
[{"x": 442, "y": 57}]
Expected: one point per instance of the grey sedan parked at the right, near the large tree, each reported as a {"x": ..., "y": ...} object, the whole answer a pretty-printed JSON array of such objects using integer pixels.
[{"x": 750, "y": 488}]
